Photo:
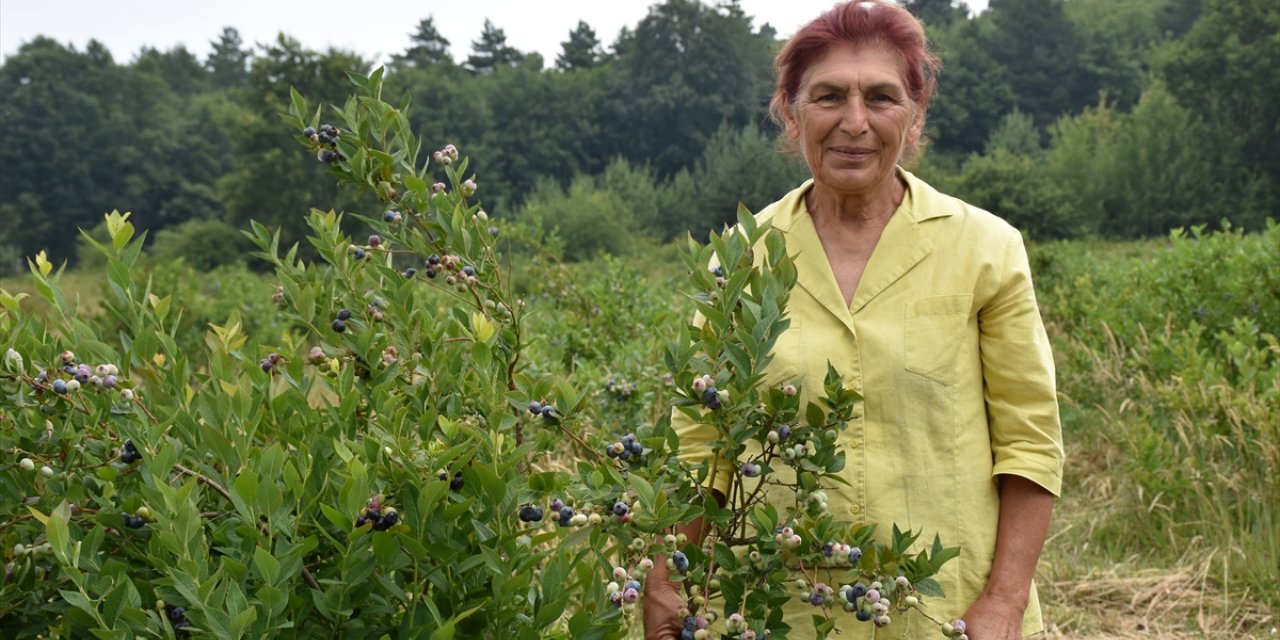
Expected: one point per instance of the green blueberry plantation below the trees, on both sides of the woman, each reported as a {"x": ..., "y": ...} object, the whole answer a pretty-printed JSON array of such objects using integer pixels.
[{"x": 442, "y": 431}]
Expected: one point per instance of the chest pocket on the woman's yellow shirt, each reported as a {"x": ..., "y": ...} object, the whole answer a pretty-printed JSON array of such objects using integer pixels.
[{"x": 934, "y": 331}]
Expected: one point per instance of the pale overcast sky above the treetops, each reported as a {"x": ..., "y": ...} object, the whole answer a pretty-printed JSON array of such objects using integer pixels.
[{"x": 374, "y": 29}]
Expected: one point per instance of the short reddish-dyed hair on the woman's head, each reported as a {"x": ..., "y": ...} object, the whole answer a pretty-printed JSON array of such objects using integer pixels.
[{"x": 857, "y": 24}]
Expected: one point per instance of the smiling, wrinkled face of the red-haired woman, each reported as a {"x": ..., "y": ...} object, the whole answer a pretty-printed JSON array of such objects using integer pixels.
[{"x": 853, "y": 118}]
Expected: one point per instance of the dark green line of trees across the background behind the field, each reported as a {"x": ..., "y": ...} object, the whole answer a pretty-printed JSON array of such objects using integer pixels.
[{"x": 1071, "y": 118}]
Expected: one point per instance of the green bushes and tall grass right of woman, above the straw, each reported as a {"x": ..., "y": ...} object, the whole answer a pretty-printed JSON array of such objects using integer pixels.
[{"x": 1176, "y": 346}]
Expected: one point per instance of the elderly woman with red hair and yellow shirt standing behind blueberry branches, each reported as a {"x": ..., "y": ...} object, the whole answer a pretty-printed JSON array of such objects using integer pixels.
[{"x": 925, "y": 304}]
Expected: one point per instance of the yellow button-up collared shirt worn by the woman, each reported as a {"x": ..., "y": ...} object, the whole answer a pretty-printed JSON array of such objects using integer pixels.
[{"x": 945, "y": 342}]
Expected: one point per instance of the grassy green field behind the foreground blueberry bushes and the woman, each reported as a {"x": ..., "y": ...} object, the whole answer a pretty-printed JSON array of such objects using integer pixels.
[{"x": 1168, "y": 367}]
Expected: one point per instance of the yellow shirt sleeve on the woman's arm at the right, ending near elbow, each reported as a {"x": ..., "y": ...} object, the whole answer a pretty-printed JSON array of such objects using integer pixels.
[{"x": 1020, "y": 378}]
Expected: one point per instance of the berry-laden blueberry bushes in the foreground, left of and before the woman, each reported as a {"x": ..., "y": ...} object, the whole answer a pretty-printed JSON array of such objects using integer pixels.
[{"x": 394, "y": 464}]
